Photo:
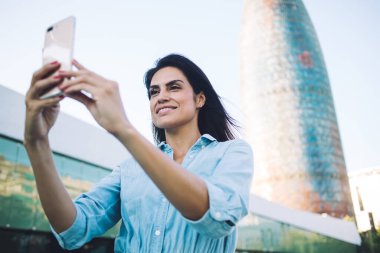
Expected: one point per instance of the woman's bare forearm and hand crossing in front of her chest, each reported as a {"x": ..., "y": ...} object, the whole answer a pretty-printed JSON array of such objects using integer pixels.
[{"x": 187, "y": 192}]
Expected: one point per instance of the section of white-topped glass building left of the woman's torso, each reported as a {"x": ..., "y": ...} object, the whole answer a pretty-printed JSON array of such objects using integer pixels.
[{"x": 82, "y": 154}]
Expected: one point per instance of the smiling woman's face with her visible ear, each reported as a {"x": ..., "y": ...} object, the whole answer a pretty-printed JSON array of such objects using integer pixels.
[{"x": 173, "y": 102}]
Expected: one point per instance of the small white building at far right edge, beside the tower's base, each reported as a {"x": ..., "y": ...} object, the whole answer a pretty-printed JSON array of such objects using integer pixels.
[{"x": 365, "y": 189}]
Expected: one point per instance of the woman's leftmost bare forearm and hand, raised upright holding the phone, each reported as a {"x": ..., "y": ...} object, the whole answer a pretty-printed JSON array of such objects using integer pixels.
[{"x": 41, "y": 115}]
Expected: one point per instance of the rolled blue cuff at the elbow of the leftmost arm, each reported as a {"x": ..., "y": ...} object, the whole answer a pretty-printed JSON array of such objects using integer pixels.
[{"x": 73, "y": 237}]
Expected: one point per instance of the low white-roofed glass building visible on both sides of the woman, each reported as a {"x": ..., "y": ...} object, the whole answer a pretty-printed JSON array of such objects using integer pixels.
[{"x": 84, "y": 153}]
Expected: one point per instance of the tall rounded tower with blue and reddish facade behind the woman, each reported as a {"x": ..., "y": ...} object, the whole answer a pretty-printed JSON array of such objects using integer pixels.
[{"x": 289, "y": 112}]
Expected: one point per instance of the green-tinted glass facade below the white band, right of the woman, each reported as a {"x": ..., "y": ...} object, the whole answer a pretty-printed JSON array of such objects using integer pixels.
[{"x": 261, "y": 234}]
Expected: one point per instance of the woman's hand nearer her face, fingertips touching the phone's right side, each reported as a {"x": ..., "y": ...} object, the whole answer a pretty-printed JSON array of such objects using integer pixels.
[{"x": 104, "y": 101}]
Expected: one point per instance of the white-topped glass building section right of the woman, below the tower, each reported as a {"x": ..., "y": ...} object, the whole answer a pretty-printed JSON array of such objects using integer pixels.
[{"x": 271, "y": 227}]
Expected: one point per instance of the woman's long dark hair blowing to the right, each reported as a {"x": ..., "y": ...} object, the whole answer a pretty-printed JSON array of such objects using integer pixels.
[{"x": 213, "y": 119}]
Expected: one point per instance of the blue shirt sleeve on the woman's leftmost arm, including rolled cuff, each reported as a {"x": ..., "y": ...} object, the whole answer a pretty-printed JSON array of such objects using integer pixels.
[{"x": 97, "y": 211}]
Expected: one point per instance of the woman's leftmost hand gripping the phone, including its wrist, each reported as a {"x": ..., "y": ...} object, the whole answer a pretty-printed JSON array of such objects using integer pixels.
[{"x": 41, "y": 114}]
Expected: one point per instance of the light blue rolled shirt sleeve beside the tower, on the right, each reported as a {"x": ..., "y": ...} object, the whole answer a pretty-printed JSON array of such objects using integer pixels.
[{"x": 228, "y": 190}]
